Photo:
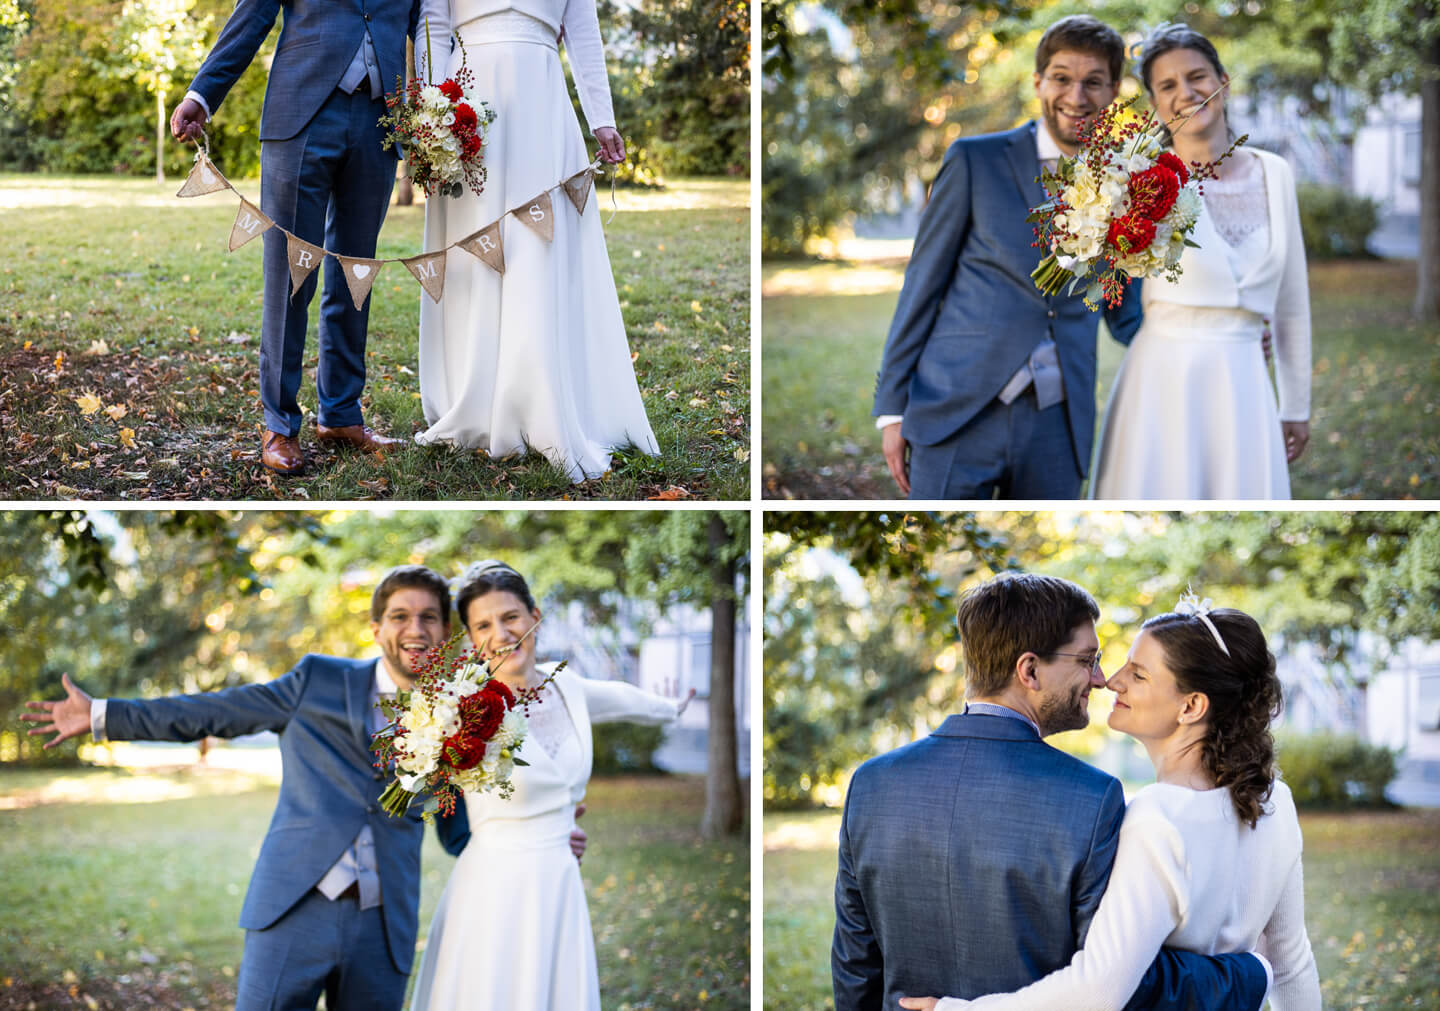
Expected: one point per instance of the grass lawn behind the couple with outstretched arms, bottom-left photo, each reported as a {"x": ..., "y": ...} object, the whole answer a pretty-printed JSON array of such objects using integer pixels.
[{"x": 127, "y": 891}]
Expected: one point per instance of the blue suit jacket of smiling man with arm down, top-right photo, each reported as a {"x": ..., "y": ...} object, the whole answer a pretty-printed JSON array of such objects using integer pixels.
[{"x": 970, "y": 316}]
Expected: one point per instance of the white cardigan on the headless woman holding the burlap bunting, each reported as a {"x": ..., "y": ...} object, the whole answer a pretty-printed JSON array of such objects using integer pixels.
[{"x": 582, "y": 44}]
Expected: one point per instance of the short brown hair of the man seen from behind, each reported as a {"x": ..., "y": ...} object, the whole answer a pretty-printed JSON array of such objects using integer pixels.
[{"x": 1013, "y": 614}]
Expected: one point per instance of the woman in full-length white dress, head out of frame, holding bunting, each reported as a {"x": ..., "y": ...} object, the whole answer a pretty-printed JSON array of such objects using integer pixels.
[{"x": 538, "y": 356}]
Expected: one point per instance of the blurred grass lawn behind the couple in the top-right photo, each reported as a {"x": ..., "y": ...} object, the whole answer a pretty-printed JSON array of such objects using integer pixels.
[{"x": 1374, "y": 430}]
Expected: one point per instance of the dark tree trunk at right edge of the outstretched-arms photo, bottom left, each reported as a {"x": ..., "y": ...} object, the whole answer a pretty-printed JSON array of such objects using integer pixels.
[{"x": 725, "y": 813}]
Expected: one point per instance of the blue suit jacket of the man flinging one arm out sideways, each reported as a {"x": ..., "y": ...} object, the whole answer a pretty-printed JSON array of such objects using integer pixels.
[{"x": 329, "y": 790}]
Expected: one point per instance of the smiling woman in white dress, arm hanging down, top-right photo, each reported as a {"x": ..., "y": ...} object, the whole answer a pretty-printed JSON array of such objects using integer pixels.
[{"x": 1193, "y": 413}]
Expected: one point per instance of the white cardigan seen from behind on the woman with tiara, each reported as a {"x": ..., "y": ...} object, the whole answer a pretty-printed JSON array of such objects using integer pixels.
[{"x": 1187, "y": 875}]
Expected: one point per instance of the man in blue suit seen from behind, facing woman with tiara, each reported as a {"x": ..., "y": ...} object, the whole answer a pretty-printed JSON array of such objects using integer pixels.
[{"x": 973, "y": 862}]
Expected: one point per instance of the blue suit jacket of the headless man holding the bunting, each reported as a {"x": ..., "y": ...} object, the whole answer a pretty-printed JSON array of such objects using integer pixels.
[{"x": 318, "y": 41}]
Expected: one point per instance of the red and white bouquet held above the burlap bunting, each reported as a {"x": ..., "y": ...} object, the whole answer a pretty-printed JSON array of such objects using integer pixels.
[{"x": 443, "y": 130}]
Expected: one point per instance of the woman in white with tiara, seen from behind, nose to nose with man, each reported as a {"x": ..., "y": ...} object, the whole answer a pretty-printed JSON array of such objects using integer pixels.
[{"x": 1210, "y": 855}]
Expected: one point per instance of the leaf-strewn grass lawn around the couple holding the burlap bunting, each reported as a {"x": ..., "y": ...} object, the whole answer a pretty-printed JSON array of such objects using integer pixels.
[{"x": 116, "y": 289}]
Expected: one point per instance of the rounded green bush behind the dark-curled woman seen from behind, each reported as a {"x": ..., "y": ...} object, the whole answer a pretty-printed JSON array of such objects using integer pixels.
[{"x": 1336, "y": 770}]
